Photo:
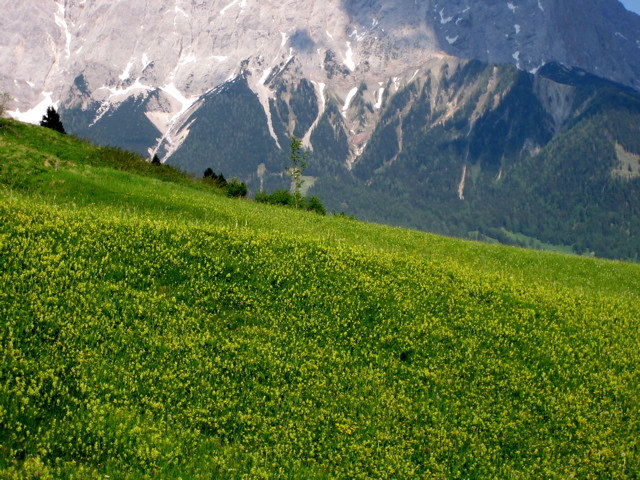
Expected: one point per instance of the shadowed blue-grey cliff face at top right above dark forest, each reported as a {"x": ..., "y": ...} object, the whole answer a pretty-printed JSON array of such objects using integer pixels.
[{"x": 601, "y": 37}]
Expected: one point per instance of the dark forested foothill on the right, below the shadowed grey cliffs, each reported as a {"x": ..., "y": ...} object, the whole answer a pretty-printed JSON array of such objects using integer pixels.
[{"x": 491, "y": 152}]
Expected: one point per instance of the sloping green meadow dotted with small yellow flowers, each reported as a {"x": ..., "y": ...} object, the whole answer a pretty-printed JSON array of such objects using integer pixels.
[{"x": 156, "y": 329}]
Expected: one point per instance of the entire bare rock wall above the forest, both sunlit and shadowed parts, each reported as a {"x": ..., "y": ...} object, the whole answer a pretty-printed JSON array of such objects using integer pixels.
[{"x": 208, "y": 42}]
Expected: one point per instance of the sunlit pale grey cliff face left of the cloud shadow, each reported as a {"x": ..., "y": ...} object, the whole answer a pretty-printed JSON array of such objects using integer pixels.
[{"x": 188, "y": 47}]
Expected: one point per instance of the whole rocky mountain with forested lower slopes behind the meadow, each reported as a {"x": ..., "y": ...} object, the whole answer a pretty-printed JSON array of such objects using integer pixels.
[{"x": 416, "y": 112}]
